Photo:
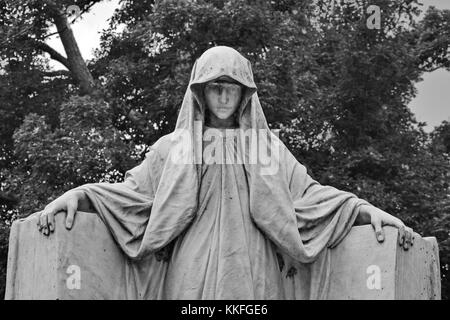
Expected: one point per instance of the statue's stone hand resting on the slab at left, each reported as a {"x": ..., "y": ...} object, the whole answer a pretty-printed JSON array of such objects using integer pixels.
[{"x": 67, "y": 202}]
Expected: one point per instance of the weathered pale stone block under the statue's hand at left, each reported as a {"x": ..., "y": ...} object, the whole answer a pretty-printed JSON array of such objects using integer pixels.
[{"x": 84, "y": 263}]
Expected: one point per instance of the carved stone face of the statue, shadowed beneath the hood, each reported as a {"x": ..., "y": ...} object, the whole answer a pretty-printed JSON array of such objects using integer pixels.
[{"x": 222, "y": 97}]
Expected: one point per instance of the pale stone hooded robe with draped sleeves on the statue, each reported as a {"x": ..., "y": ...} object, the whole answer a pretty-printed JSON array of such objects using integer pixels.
[{"x": 222, "y": 225}]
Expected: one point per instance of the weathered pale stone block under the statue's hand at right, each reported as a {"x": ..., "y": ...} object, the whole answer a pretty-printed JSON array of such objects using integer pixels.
[{"x": 364, "y": 269}]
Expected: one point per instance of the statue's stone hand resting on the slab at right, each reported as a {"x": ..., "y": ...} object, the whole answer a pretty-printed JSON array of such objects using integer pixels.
[{"x": 379, "y": 218}]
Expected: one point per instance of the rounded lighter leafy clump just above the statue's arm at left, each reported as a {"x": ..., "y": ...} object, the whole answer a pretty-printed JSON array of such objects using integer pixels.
[{"x": 84, "y": 148}]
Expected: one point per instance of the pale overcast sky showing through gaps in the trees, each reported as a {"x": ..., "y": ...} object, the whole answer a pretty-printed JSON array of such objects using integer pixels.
[{"x": 431, "y": 105}]
